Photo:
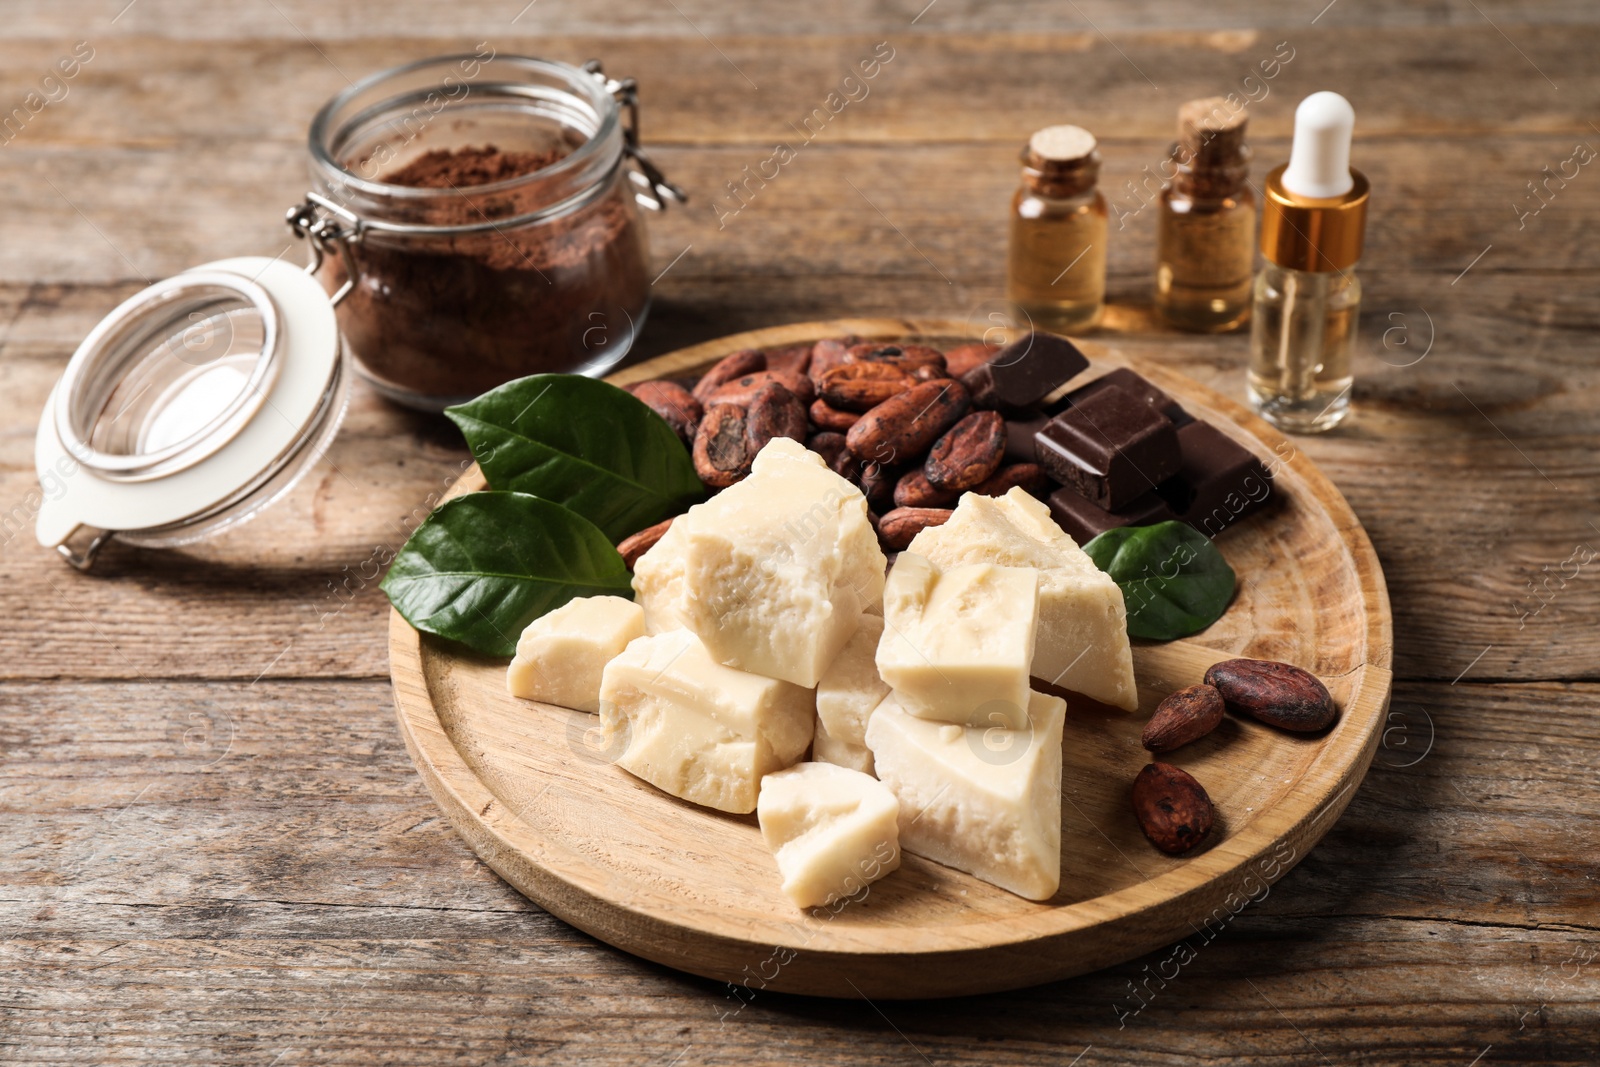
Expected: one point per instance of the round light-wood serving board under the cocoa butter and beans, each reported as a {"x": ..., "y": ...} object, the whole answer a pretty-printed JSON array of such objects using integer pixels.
[{"x": 532, "y": 793}]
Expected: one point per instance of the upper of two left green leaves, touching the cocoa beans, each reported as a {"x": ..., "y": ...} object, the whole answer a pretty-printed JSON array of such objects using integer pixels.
[{"x": 585, "y": 444}]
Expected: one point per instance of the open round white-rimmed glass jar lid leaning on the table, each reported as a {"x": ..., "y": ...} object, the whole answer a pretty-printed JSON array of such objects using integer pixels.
[{"x": 191, "y": 407}]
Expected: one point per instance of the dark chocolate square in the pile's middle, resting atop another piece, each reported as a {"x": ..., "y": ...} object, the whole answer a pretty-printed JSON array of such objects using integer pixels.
[{"x": 1111, "y": 447}]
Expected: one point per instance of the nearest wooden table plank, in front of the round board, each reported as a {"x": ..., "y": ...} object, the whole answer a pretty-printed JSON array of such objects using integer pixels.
[{"x": 228, "y": 874}]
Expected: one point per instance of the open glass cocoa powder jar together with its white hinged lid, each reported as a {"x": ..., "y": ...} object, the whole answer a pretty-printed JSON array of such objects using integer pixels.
[{"x": 474, "y": 220}]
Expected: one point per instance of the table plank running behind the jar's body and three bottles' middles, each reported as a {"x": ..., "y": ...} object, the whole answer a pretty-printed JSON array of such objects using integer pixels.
[{"x": 886, "y": 212}]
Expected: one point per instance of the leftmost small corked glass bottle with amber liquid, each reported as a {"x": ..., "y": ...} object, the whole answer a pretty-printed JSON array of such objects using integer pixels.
[{"x": 1057, "y": 266}]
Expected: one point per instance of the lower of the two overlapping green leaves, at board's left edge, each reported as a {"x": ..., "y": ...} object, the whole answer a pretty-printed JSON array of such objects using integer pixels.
[{"x": 486, "y": 565}]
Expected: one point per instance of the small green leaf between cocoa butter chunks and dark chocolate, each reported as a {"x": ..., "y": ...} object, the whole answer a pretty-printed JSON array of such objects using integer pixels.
[{"x": 1172, "y": 577}]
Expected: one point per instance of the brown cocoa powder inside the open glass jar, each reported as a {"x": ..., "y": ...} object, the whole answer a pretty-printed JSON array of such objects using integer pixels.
[{"x": 446, "y": 318}]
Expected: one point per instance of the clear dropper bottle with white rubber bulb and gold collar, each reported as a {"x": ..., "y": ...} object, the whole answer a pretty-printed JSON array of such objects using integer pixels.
[{"x": 1306, "y": 297}]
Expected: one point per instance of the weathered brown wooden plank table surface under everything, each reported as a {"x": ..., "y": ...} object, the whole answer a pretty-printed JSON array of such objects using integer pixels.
[{"x": 215, "y": 847}]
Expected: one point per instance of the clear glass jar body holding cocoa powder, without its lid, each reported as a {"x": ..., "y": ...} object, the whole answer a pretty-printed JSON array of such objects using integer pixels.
[{"x": 479, "y": 222}]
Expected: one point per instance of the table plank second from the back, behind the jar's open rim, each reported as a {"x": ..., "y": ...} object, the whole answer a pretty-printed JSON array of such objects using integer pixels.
[{"x": 993, "y": 86}]
